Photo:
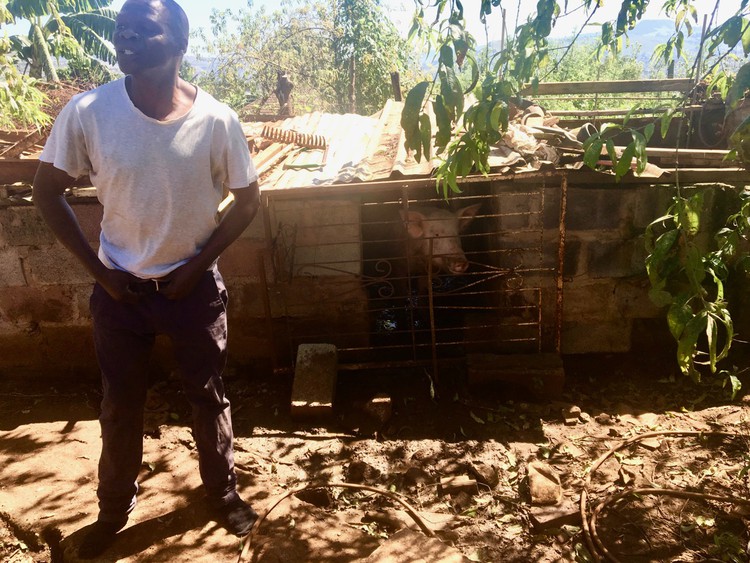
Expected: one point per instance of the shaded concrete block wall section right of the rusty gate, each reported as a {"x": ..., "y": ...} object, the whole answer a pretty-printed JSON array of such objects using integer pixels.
[{"x": 606, "y": 305}]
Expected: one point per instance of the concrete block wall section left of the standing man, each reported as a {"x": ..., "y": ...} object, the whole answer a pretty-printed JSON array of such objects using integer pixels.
[{"x": 44, "y": 314}]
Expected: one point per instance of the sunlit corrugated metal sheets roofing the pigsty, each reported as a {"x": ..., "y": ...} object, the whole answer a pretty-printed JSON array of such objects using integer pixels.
[{"x": 362, "y": 149}]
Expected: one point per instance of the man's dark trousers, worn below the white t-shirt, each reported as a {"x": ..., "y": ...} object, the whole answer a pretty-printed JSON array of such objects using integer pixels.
[{"x": 124, "y": 336}]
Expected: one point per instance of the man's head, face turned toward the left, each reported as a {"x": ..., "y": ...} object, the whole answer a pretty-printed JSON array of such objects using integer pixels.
[{"x": 143, "y": 39}]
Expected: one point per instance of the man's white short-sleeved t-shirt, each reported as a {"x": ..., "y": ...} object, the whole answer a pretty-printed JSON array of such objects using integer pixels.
[{"x": 160, "y": 182}]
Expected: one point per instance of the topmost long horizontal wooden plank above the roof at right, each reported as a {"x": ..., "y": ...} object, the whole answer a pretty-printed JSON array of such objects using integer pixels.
[{"x": 609, "y": 87}]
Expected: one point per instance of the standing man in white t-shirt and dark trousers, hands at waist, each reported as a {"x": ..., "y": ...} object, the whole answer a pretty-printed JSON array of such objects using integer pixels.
[{"x": 160, "y": 152}]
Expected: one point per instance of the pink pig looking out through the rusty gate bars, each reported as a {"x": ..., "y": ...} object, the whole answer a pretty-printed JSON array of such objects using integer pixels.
[{"x": 437, "y": 232}]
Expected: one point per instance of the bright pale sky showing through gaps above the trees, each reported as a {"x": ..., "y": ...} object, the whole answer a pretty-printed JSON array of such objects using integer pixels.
[{"x": 401, "y": 11}]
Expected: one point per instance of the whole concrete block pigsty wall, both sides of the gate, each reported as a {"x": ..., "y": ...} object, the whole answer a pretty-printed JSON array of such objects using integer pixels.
[{"x": 45, "y": 324}]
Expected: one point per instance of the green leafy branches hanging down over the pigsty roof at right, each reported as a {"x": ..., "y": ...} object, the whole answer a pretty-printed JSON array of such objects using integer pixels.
[{"x": 464, "y": 135}]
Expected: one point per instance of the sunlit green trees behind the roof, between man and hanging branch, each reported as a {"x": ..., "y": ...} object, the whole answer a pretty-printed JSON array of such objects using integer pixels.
[{"x": 323, "y": 47}]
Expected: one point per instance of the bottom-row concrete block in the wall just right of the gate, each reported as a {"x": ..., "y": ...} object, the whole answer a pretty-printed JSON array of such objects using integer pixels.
[{"x": 589, "y": 338}]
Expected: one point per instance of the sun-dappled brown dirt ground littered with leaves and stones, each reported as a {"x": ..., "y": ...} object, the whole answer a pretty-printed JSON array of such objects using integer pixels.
[{"x": 460, "y": 458}]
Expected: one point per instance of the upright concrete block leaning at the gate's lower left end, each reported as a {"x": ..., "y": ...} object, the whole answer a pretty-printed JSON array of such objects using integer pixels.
[{"x": 314, "y": 385}]
